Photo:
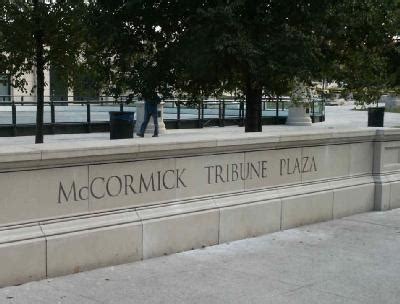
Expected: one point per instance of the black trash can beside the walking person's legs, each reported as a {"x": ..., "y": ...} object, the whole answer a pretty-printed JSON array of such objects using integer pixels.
[{"x": 121, "y": 125}]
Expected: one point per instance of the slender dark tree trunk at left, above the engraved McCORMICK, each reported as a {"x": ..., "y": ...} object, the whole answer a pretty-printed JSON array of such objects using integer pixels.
[{"x": 39, "y": 74}]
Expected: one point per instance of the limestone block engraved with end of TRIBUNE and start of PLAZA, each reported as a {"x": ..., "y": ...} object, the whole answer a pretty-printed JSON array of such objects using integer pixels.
[{"x": 281, "y": 167}]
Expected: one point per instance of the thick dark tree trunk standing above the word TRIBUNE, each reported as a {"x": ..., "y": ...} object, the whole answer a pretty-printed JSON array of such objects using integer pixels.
[{"x": 253, "y": 108}]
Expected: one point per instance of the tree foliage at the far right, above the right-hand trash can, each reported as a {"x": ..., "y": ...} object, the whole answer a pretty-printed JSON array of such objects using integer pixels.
[{"x": 365, "y": 47}]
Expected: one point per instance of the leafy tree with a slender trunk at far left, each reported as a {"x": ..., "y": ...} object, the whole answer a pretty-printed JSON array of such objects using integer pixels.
[{"x": 35, "y": 34}]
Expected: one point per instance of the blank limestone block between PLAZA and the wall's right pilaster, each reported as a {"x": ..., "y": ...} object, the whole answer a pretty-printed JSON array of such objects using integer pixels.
[{"x": 361, "y": 158}]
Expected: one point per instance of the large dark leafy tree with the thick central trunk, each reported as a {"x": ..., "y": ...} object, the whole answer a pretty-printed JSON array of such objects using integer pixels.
[{"x": 256, "y": 46}]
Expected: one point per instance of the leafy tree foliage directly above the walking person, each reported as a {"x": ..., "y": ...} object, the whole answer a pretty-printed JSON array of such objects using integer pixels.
[{"x": 129, "y": 40}]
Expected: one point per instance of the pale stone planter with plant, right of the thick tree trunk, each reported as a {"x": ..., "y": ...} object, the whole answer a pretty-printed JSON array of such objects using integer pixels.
[{"x": 300, "y": 100}]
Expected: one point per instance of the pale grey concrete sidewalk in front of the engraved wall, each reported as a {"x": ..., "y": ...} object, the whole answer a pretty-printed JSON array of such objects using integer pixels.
[{"x": 352, "y": 260}]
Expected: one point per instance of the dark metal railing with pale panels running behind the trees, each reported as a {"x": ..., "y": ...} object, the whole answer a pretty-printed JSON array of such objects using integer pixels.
[{"x": 88, "y": 111}]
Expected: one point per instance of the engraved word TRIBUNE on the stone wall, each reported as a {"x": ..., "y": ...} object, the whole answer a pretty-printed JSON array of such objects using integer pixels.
[{"x": 233, "y": 172}]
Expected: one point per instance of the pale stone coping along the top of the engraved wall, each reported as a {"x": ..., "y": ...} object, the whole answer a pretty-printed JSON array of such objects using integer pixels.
[{"x": 64, "y": 153}]
